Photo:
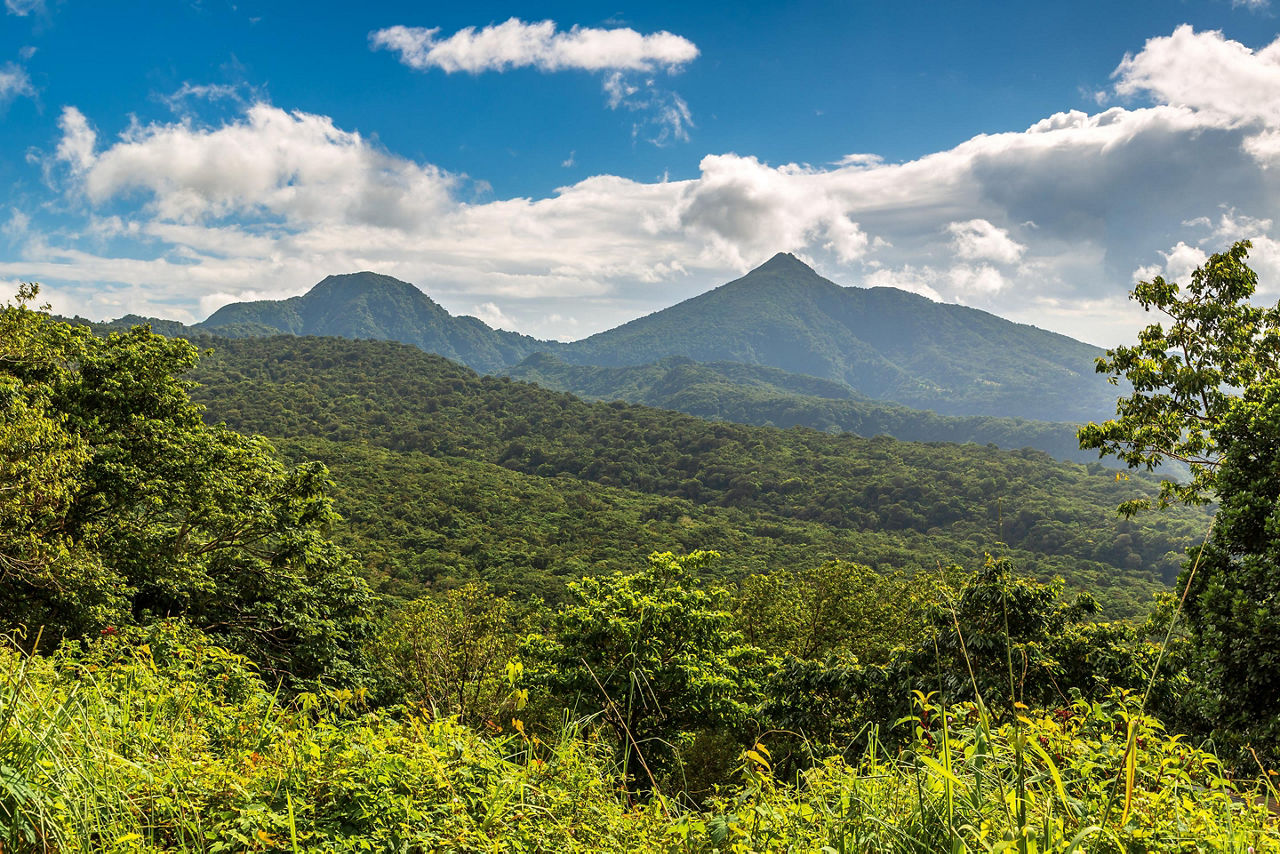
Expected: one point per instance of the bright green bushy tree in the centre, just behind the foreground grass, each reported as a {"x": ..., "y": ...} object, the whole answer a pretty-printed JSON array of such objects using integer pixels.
[{"x": 657, "y": 657}]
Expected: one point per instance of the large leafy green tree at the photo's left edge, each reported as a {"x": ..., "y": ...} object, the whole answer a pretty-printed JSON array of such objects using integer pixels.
[{"x": 122, "y": 505}]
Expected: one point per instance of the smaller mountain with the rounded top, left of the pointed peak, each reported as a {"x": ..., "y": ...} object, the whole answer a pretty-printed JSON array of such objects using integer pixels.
[{"x": 368, "y": 305}]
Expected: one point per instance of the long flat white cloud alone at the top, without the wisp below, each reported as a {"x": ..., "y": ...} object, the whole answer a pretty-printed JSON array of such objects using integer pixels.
[{"x": 516, "y": 44}]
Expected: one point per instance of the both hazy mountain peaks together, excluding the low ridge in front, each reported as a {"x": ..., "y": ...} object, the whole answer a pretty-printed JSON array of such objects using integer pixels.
[{"x": 883, "y": 344}]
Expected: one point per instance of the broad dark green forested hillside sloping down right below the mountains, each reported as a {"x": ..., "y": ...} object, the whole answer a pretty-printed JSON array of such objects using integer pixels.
[{"x": 598, "y": 485}]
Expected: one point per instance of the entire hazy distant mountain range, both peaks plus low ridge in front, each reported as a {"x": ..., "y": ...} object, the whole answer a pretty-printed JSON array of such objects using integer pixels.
[{"x": 779, "y": 346}]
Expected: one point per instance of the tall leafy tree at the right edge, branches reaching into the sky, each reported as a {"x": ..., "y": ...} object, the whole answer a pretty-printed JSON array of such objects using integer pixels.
[{"x": 1208, "y": 394}]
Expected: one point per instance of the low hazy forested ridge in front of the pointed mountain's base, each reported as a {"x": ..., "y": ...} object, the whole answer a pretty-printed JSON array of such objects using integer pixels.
[{"x": 772, "y": 398}]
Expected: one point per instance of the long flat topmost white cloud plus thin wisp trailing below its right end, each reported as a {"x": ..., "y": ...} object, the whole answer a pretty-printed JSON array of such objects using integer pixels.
[{"x": 627, "y": 58}]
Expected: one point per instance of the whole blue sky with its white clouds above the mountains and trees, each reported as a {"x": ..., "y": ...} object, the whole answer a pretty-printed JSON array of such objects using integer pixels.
[{"x": 563, "y": 168}]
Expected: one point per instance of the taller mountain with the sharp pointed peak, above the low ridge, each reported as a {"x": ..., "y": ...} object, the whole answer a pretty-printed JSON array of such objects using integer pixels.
[{"x": 883, "y": 342}]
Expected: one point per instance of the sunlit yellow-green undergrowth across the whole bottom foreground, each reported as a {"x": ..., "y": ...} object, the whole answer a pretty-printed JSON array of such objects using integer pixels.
[{"x": 162, "y": 742}]
